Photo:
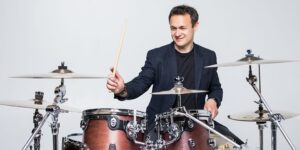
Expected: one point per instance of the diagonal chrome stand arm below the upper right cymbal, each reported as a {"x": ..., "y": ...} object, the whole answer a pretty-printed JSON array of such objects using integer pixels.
[{"x": 275, "y": 118}]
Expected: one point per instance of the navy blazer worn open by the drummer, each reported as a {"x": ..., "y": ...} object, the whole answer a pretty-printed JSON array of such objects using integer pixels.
[{"x": 160, "y": 70}]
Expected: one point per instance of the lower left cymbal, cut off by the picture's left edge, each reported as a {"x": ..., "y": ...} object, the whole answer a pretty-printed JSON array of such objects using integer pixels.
[{"x": 31, "y": 103}]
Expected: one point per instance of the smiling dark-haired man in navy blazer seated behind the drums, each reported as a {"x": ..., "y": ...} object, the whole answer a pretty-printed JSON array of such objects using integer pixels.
[{"x": 181, "y": 58}]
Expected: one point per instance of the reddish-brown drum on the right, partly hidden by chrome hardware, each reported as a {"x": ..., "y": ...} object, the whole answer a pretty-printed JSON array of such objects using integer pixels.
[{"x": 183, "y": 132}]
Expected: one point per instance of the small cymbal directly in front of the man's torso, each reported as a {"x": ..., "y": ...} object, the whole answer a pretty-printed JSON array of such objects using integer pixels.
[{"x": 175, "y": 91}]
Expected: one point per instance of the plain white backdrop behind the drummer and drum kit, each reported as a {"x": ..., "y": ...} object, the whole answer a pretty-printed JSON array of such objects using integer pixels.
[{"x": 37, "y": 35}]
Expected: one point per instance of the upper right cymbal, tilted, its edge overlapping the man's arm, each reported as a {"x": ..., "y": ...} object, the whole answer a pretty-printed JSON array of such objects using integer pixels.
[{"x": 249, "y": 59}]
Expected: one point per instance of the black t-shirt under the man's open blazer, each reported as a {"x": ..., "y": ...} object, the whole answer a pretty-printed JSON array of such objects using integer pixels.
[{"x": 186, "y": 69}]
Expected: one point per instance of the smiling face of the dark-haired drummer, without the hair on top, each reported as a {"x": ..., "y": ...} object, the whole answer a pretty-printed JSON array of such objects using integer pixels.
[{"x": 182, "y": 31}]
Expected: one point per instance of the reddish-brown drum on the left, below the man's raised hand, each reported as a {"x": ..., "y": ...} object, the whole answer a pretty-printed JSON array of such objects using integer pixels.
[{"x": 108, "y": 128}]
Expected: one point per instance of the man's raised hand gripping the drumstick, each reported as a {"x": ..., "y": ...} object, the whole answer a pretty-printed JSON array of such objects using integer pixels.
[{"x": 115, "y": 83}]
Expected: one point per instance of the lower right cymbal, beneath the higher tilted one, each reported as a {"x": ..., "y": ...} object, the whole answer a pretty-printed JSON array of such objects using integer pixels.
[{"x": 254, "y": 116}]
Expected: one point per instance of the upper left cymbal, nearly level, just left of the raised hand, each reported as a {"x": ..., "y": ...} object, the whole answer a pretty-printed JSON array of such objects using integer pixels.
[{"x": 61, "y": 73}]
